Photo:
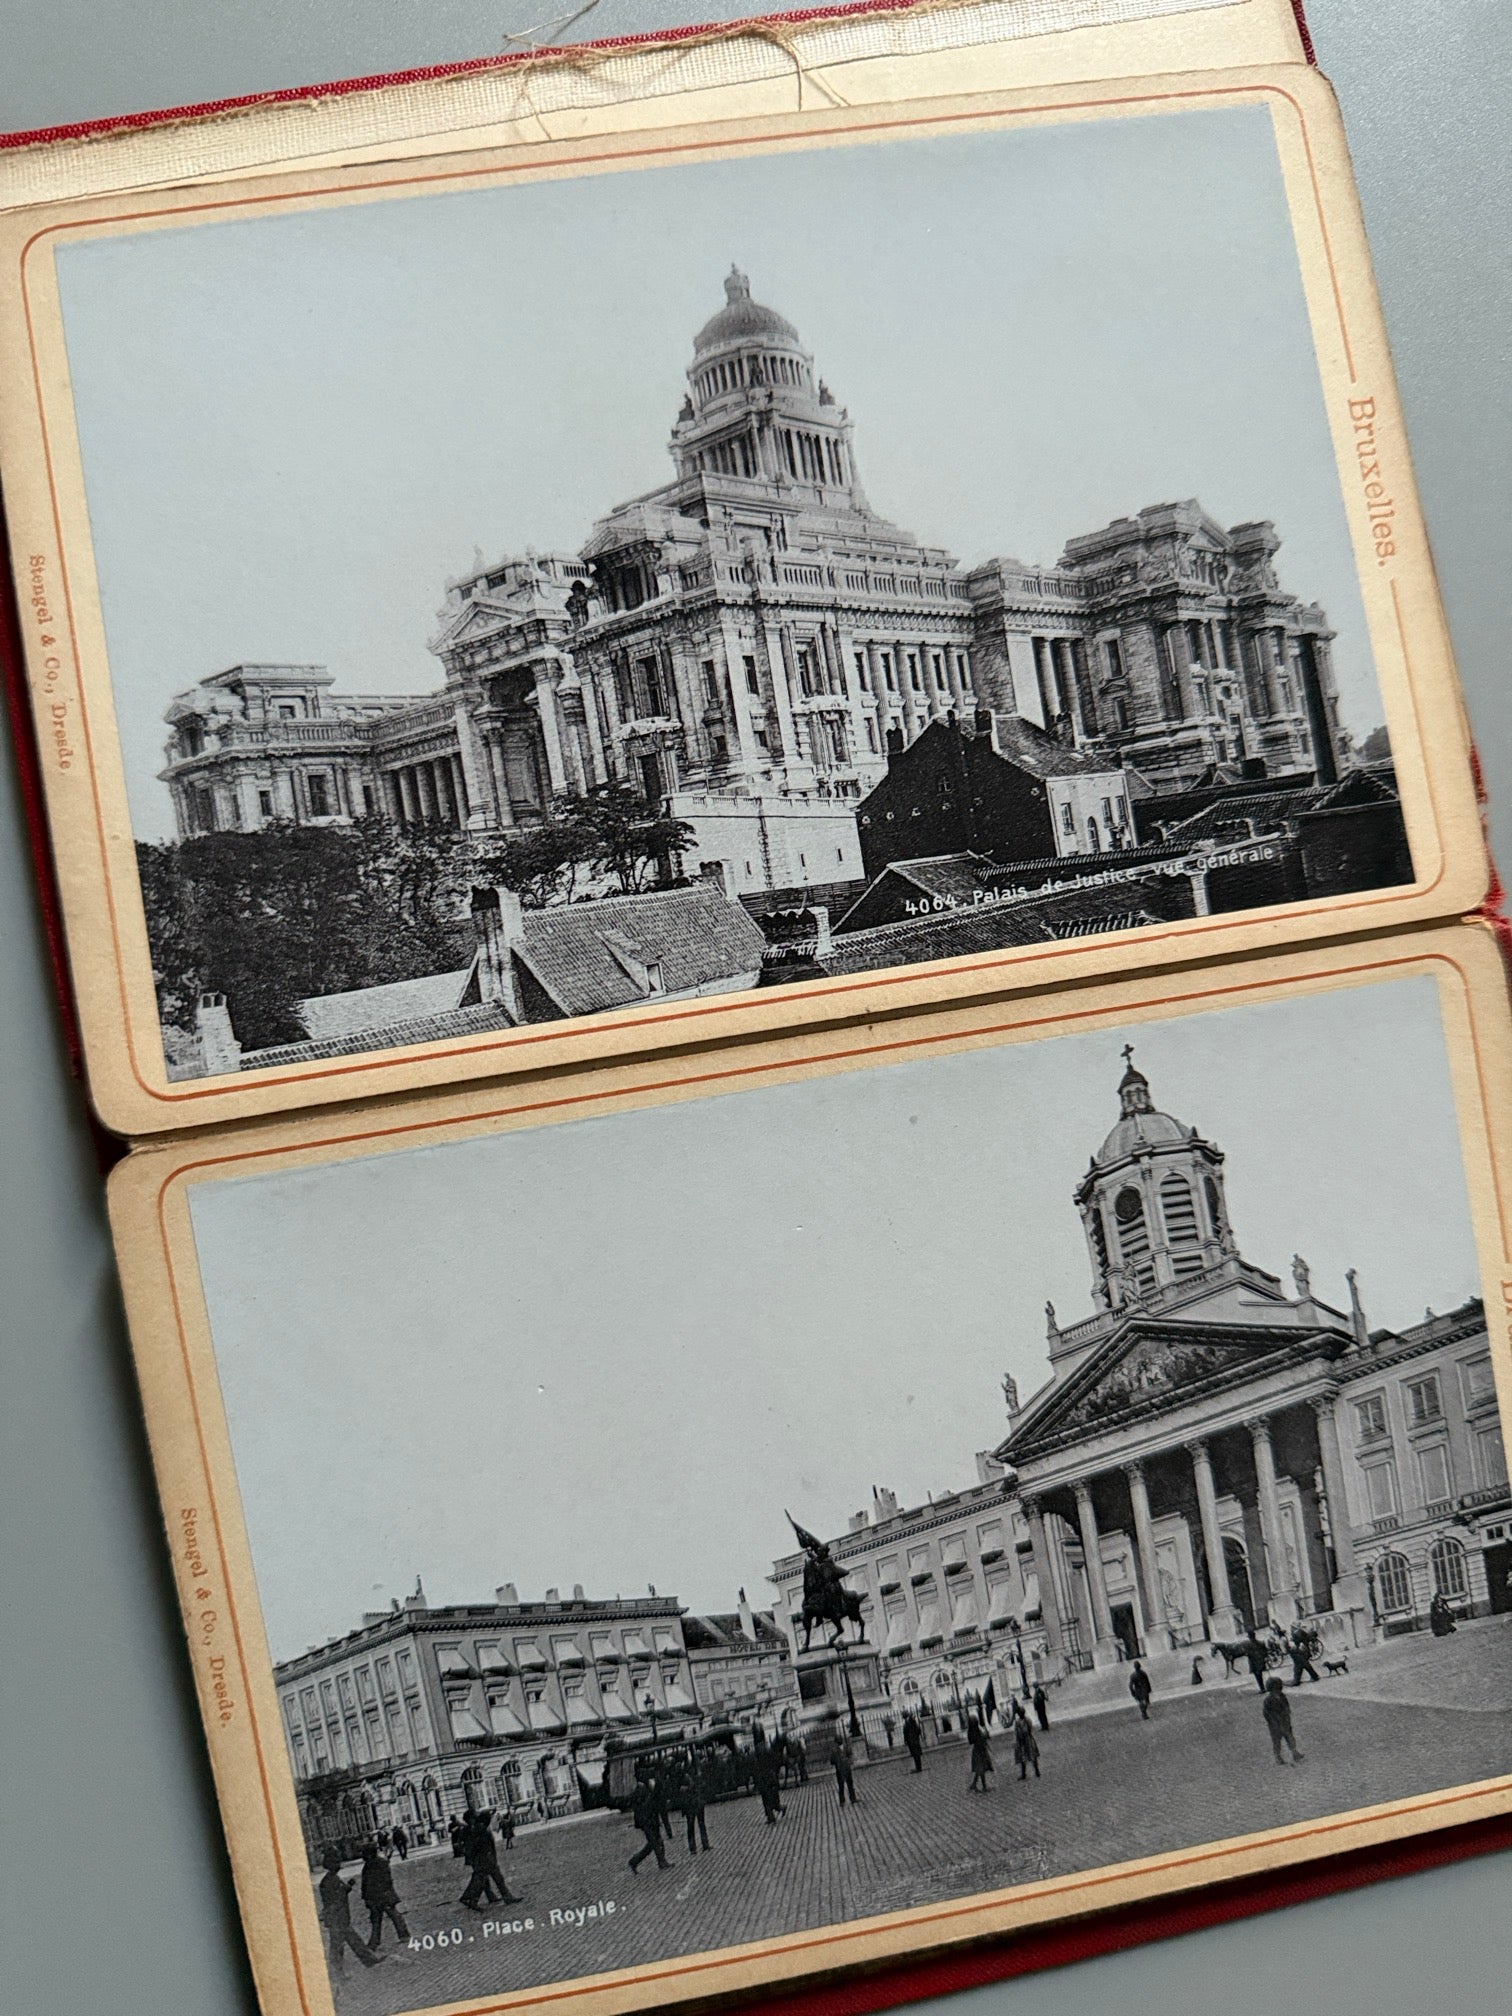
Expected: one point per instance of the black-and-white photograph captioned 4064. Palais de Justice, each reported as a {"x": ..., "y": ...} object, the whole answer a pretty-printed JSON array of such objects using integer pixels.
[{"x": 549, "y": 600}]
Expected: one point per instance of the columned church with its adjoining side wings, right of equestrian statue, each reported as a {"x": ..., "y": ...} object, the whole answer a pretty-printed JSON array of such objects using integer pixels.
[{"x": 1213, "y": 1451}]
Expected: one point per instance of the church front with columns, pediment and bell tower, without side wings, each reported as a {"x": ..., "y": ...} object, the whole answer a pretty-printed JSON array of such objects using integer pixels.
[{"x": 1182, "y": 1471}]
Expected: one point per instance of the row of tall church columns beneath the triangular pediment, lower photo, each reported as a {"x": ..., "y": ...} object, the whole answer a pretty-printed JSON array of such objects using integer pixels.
[{"x": 1283, "y": 1582}]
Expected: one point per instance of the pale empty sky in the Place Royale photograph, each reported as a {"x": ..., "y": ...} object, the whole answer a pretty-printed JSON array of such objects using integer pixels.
[{"x": 612, "y": 1352}]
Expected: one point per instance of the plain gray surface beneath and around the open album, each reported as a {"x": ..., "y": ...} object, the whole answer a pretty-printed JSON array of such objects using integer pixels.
[{"x": 114, "y": 1894}]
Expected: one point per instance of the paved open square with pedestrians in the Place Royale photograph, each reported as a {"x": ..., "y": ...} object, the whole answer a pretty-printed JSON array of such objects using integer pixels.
[{"x": 1410, "y": 1717}]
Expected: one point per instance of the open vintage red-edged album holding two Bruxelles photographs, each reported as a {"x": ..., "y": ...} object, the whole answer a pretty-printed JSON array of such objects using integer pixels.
[{"x": 763, "y": 838}]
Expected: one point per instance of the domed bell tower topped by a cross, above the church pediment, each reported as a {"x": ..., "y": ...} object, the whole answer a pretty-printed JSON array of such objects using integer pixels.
[{"x": 1152, "y": 1203}]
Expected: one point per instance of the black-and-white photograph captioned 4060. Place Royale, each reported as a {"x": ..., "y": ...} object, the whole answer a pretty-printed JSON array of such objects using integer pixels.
[{"x": 719, "y": 1521}]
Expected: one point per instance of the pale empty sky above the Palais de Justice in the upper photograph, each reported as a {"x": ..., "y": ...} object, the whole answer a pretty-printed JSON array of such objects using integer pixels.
[{"x": 299, "y": 426}]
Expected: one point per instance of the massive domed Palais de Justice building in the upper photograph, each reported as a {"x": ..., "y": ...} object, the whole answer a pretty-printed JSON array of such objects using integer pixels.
[{"x": 753, "y": 638}]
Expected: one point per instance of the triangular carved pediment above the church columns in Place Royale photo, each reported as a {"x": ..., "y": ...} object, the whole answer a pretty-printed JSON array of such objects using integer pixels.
[{"x": 1156, "y": 1366}]
